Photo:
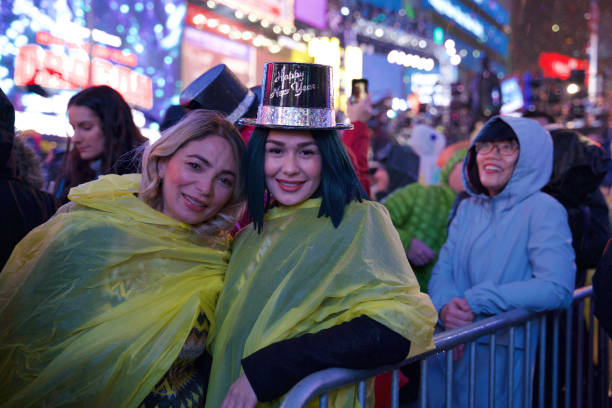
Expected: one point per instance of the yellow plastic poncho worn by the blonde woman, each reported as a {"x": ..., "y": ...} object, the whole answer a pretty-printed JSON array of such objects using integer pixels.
[{"x": 96, "y": 304}]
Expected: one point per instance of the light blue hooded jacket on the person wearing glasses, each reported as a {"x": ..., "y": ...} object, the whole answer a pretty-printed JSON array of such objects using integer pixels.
[{"x": 514, "y": 249}]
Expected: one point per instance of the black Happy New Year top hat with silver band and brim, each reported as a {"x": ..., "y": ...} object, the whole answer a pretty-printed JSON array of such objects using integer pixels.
[{"x": 296, "y": 96}]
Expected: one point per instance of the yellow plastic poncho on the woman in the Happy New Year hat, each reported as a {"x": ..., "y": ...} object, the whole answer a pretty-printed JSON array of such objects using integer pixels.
[{"x": 302, "y": 275}]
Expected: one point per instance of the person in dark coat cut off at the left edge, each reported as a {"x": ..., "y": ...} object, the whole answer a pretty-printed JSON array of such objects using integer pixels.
[{"x": 23, "y": 205}]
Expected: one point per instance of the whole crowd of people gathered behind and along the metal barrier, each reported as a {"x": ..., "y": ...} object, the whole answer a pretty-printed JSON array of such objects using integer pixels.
[{"x": 260, "y": 240}]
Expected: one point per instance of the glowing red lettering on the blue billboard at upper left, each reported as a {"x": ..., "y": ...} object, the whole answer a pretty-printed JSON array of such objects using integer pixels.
[{"x": 47, "y": 68}]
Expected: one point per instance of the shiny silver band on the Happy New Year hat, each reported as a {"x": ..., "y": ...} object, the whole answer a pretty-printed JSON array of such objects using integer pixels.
[{"x": 298, "y": 117}]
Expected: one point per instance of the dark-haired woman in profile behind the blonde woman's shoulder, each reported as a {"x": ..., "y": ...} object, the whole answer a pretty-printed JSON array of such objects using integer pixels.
[{"x": 104, "y": 139}]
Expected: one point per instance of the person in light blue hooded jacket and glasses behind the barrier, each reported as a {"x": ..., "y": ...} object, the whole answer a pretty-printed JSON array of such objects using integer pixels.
[{"x": 509, "y": 246}]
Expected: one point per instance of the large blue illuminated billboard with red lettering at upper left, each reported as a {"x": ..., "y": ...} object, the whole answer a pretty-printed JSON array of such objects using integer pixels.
[{"x": 56, "y": 48}]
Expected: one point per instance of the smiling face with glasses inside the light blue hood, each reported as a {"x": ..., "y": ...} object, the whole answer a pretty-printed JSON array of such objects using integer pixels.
[{"x": 494, "y": 168}]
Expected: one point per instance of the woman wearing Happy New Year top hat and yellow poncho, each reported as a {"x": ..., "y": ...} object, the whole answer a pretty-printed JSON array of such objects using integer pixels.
[{"x": 321, "y": 279}]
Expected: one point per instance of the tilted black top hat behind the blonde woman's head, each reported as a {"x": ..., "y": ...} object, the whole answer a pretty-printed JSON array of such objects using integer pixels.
[{"x": 219, "y": 89}]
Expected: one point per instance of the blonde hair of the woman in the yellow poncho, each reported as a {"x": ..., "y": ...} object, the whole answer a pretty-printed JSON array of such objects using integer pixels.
[{"x": 196, "y": 125}]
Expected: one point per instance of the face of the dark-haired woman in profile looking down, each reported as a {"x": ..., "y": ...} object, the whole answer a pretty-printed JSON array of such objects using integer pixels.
[{"x": 88, "y": 135}]
